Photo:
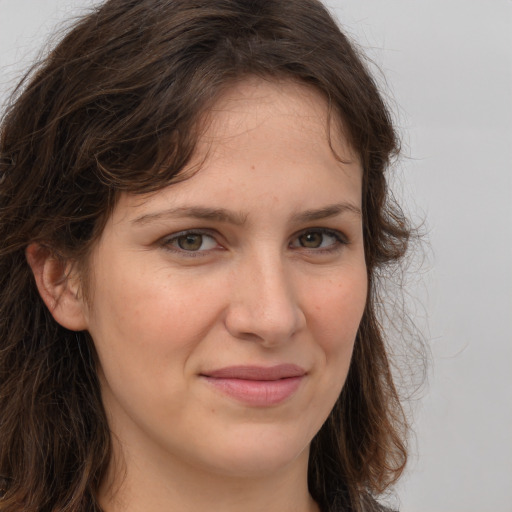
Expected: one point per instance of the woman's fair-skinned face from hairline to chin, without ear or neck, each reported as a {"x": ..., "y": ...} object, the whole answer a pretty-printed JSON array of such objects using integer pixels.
[{"x": 224, "y": 308}]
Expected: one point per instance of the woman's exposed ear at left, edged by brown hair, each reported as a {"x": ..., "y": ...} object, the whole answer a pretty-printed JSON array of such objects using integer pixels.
[{"x": 59, "y": 286}]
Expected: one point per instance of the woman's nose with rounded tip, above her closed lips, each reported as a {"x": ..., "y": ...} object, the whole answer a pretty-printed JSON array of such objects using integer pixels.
[{"x": 264, "y": 306}]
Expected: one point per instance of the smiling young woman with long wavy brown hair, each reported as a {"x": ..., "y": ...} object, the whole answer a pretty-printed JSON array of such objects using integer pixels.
[{"x": 194, "y": 215}]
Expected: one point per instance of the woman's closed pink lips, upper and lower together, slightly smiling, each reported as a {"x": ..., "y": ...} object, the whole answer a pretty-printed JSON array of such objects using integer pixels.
[{"x": 256, "y": 385}]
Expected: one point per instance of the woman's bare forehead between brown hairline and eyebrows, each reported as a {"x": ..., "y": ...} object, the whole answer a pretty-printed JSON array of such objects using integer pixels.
[{"x": 265, "y": 137}]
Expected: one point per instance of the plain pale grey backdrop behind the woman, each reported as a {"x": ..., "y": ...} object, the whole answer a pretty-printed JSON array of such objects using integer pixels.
[{"x": 448, "y": 70}]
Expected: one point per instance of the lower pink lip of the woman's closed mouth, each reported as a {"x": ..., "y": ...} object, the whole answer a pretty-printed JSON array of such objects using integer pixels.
[{"x": 257, "y": 392}]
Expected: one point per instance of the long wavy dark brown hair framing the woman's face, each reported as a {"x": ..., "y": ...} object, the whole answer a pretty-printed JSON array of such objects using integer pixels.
[{"x": 115, "y": 107}]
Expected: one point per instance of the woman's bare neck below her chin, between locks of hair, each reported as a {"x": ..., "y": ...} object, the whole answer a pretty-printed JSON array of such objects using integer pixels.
[{"x": 158, "y": 485}]
